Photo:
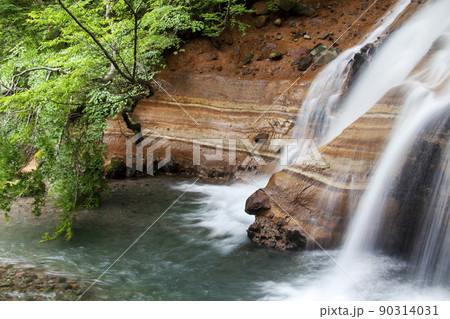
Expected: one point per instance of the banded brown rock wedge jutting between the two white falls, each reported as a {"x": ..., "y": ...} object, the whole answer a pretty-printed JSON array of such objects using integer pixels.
[{"x": 309, "y": 204}]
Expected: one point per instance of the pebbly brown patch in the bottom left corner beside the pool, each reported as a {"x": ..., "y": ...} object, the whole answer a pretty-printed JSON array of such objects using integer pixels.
[{"x": 24, "y": 283}]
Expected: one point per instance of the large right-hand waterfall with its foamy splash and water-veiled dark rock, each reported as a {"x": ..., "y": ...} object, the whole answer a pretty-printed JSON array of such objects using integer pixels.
[{"x": 405, "y": 208}]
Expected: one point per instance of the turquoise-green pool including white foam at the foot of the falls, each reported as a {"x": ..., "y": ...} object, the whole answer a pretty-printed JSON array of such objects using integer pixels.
[{"x": 198, "y": 250}]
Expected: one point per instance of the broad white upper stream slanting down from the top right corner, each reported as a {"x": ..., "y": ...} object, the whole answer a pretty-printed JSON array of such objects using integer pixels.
[{"x": 392, "y": 64}]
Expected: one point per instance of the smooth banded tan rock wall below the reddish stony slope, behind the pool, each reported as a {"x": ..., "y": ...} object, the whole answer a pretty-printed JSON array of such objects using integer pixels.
[{"x": 215, "y": 126}]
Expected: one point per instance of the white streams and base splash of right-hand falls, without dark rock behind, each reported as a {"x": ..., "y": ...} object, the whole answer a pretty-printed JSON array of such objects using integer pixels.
[{"x": 362, "y": 274}]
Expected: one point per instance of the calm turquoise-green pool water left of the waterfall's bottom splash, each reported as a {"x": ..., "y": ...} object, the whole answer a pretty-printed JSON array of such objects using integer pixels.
[{"x": 177, "y": 259}]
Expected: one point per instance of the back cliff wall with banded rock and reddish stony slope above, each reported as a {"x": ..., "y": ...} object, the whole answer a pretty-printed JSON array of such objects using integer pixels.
[{"x": 220, "y": 97}]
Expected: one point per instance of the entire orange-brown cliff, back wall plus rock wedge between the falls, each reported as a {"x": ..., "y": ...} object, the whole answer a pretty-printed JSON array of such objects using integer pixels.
[{"x": 231, "y": 96}]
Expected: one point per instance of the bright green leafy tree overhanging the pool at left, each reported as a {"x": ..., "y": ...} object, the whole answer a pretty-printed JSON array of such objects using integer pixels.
[{"x": 66, "y": 67}]
